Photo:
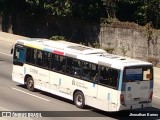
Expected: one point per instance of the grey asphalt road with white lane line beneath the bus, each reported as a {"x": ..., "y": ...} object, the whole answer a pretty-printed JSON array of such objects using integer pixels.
[{"x": 14, "y": 97}]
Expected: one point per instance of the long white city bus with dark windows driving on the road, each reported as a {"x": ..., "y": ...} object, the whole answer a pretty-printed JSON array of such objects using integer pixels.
[{"x": 85, "y": 75}]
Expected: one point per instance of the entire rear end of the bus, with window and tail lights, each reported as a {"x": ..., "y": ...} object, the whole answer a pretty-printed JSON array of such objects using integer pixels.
[{"x": 137, "y": 87}]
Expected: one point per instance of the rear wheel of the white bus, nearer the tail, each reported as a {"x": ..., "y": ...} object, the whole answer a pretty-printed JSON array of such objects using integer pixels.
[{"x": 79, "y": 100}]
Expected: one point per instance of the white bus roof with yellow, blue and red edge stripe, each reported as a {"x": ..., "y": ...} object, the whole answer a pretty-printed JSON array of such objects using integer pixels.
[{"x": 82, "y": 52}]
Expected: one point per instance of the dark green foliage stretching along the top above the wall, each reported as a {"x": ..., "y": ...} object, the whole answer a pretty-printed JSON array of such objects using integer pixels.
[{"x": 145, "y": 11}]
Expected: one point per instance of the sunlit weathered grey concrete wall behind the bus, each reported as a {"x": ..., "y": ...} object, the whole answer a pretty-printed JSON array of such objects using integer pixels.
[{"x": 135, "y": 41}]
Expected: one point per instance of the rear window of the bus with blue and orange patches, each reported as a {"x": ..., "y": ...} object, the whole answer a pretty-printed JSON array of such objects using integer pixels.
[{"x": 140, "y": 73}]
